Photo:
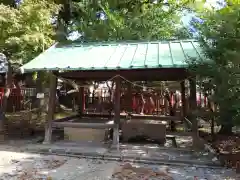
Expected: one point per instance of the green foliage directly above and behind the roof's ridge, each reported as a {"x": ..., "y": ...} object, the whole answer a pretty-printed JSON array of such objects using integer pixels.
[{"x": 128, "y": 20}]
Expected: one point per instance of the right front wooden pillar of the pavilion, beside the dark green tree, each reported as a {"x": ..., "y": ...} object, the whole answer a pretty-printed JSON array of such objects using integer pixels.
[{"x": 193, "y": 107}]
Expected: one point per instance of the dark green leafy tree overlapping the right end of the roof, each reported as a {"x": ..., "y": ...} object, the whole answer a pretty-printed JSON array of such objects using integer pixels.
[{"x": 220, "y": 40}]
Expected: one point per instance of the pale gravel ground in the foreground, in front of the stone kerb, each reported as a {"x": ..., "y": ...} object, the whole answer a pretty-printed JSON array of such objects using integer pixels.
[{"x": 24, "y": 166}]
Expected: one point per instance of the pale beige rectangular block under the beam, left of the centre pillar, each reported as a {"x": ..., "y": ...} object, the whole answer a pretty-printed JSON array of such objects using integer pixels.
[{"x": 84, "y": 134}]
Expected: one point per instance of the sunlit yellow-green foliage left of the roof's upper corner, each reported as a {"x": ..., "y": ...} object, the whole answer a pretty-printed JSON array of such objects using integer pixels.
[{"x": 27, "y": 30}]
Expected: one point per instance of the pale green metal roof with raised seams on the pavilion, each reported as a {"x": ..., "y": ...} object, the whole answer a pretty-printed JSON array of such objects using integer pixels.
[{"x": 115, "y": 56}]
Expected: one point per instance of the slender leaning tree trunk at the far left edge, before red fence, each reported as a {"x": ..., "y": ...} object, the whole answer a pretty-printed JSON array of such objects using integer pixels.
[{"x": 7, "y": 90}]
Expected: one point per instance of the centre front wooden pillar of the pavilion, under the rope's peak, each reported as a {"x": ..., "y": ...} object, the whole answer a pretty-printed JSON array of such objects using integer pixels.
[{"x": 117, "y": 112}]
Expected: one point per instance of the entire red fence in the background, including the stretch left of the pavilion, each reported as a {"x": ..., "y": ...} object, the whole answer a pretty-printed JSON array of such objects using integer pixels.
[{"x": 21, "y": 99}]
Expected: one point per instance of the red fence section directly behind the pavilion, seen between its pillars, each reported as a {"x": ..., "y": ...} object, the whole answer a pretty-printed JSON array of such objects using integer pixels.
[{"x": 154, "y": 104}]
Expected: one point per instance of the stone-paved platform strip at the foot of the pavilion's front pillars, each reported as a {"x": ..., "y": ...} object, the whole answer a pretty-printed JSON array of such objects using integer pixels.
[{"x": 127, "y": 151}]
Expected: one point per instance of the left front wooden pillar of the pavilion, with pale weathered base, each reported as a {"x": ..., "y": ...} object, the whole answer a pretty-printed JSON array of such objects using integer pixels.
[{"x": 51, "y": 109}]
